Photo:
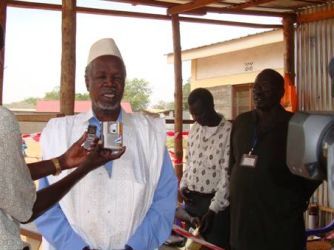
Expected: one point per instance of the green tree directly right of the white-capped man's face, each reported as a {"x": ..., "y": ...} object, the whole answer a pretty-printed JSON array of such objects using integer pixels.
[{"x": 137, "y": 92}]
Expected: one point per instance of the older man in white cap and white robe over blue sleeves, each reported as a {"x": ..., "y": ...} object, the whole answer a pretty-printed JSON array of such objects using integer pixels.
[{"x": 127, "y": 204}]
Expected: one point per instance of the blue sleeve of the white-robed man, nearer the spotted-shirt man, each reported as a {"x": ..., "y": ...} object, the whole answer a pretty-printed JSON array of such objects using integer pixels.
[{"x": 157, "y": 224}]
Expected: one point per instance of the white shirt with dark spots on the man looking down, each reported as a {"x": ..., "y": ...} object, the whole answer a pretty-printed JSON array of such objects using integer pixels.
[{"x": 206, "y": 169}]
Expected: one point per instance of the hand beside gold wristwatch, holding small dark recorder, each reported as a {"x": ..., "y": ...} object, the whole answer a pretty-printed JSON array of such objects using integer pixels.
[{"x": 76, "y": 154}]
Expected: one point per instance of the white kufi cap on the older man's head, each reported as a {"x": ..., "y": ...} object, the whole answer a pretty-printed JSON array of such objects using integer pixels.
[{"x": 103, "y": 47}]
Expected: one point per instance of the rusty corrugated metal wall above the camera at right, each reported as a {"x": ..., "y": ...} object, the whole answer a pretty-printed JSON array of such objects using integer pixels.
[{"x": 314, "y": 49}]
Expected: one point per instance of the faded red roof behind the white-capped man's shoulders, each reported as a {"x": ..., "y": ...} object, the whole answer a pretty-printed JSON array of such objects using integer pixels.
[{"x": 79, "y": 106}]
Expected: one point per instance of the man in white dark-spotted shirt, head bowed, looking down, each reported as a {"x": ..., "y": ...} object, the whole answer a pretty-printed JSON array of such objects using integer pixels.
[{"x": 205, "y": 182}]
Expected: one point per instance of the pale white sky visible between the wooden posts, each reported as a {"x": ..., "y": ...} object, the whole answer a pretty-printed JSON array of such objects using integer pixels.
[{"x": 33, "y": 47}]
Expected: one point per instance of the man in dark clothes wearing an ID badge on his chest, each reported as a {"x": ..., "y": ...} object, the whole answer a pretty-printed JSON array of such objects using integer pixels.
[{"x": 267, "y": 201}]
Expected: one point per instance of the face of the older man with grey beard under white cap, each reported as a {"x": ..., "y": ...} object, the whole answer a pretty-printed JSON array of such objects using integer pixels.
[{"x": 105, "y": 80}]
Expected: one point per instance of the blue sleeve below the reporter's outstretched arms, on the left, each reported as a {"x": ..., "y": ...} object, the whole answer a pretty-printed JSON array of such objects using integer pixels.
[{"x": 55, "y": 228}]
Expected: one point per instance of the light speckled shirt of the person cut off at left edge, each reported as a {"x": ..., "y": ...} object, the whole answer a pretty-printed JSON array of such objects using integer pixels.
[{"x": 17, "y": 194}]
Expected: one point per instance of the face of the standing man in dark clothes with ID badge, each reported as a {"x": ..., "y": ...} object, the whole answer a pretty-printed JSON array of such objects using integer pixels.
[{"x": 266, "y": 95}]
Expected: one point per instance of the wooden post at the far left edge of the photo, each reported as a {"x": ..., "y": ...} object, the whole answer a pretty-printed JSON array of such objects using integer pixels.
[{"x": 3, "y": 14}]
